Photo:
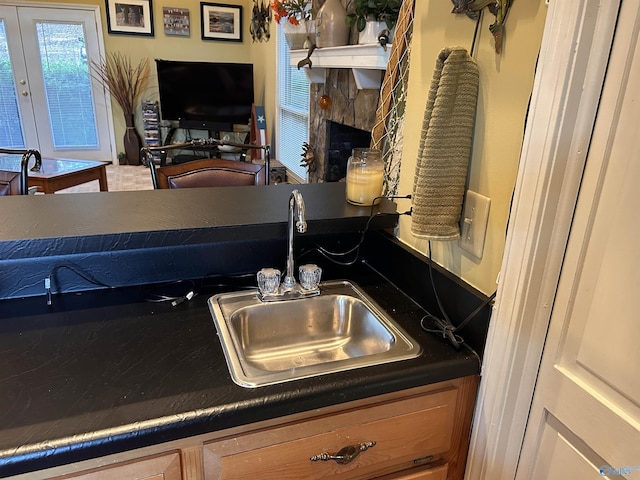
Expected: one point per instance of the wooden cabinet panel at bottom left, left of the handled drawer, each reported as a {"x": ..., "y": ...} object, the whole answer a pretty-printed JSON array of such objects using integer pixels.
[{"x": 162, "y": 467}]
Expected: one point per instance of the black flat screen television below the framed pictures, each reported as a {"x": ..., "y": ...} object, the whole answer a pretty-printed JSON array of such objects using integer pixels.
[{"x": 205, "y": 95}]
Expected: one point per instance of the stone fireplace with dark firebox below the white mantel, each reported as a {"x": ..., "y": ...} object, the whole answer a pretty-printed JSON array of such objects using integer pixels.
[{"x": 352, "y": 108}]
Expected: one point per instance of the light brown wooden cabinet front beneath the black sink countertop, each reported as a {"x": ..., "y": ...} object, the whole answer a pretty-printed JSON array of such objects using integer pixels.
[{"x": 416, "y": 434}]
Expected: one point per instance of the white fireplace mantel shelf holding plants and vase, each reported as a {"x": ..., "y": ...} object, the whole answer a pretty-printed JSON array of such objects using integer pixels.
[{"x": 367, "y": 62}]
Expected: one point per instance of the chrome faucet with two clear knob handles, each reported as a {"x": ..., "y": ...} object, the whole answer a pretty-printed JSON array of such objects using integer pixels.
[{"x": 270, "y": 288}]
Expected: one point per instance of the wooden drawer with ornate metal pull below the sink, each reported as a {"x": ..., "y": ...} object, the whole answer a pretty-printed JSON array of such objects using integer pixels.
[{"x": 403, "y": 431}]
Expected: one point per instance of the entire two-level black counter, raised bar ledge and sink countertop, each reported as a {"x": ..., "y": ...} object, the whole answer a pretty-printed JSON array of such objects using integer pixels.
[{"x": 104, "y": 370}]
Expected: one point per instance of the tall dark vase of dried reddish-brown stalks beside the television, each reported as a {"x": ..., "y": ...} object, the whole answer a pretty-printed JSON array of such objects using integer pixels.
[{"x": 125, "y": 82}]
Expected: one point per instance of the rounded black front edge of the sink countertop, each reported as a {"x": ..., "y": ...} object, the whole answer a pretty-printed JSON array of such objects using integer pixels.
[{"x": 144, "y": 434}]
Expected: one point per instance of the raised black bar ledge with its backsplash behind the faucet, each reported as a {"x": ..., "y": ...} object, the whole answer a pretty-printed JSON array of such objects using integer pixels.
[{"x": 133, "y": 238}]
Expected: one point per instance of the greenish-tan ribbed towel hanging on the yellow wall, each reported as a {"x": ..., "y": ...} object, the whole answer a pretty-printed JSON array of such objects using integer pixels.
[{"x": 445, "y": 146}]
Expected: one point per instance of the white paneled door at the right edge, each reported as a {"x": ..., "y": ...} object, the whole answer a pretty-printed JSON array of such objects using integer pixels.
[{"x": 585, "y": 417}]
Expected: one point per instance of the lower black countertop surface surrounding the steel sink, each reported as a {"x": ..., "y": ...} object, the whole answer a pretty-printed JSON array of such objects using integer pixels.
[{"x": 105, "y": 371}]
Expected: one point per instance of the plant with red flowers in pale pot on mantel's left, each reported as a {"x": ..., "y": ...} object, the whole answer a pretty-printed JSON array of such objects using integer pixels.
[{"x": 295, "y": 18}]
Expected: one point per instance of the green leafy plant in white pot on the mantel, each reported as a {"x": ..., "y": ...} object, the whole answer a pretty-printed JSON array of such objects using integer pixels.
[{"x": 370, "y": 17}]
